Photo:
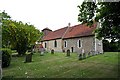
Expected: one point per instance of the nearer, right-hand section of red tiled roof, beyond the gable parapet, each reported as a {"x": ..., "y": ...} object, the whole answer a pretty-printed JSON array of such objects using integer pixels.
[{"x": 80, "y": 30}]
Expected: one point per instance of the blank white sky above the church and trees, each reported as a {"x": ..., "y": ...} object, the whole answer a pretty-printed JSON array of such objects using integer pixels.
[{"x": 53, "y": 14}]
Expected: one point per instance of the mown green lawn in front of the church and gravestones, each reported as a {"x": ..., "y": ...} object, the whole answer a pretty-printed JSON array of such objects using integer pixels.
[{"x": 60, "y": 66}]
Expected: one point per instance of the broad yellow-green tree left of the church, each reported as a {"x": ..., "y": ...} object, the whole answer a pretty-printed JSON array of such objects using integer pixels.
[{"x": 18, "y": 35}]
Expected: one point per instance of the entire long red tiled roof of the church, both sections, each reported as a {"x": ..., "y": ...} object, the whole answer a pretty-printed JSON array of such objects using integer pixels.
[{"x": 71, "y": 32}]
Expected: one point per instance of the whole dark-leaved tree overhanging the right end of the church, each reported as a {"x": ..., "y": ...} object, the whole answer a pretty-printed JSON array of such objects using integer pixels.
[{"x": 106, "y": 13}]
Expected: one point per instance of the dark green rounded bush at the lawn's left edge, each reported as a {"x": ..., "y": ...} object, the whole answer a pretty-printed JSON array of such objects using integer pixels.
[{"x": 6, "y": 57}]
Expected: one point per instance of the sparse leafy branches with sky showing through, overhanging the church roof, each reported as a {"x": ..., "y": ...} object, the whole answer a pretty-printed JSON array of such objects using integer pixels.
[{"x": 87, "y": 12}]
